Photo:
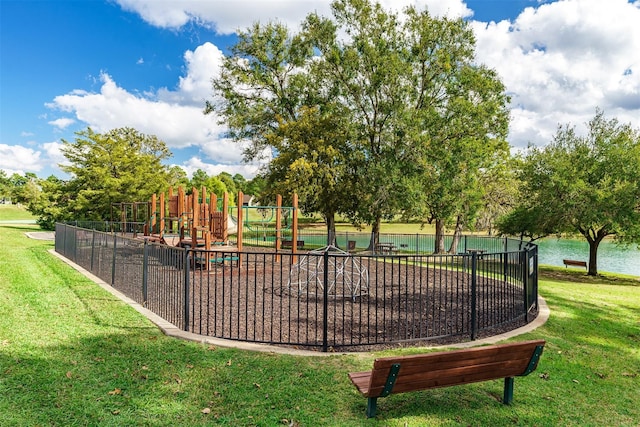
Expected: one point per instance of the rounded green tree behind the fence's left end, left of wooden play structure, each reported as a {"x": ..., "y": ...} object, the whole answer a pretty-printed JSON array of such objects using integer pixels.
[{"x": 122, "y": 165}]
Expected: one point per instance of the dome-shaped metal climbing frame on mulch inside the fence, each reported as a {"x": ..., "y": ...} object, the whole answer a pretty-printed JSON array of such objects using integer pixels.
[{"x": 346, "y": 277}]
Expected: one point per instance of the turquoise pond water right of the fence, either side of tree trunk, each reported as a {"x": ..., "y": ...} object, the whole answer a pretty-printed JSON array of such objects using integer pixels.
[{"x": 611, "y": 257}]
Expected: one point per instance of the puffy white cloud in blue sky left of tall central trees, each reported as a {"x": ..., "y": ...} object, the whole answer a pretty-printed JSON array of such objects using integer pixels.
[{"x": 174, "y": 116}]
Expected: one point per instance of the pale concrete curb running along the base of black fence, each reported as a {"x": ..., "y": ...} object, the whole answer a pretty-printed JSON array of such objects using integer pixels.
[{"x": 171, "y": 330}]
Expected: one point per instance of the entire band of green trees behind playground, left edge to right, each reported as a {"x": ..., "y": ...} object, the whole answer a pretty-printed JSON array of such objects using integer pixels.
[{"x": 372, "y": 116}]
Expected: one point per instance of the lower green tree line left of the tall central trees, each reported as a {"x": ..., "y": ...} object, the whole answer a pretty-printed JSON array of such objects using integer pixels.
[{"x": 122, "y": 165}]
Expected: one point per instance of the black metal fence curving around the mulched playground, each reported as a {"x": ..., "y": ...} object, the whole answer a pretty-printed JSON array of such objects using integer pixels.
[{"x": 322, "y": 299}]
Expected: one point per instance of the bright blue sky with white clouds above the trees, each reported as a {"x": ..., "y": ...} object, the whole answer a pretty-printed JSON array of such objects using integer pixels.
[{"x": 66, "y": 65}]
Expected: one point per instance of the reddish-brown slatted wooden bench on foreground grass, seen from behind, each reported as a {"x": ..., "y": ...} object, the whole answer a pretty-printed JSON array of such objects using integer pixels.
[{"x": 402, "y": 374}]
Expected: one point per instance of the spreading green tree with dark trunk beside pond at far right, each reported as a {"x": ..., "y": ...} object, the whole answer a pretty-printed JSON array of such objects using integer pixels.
[{"x": 582, "y": 184}]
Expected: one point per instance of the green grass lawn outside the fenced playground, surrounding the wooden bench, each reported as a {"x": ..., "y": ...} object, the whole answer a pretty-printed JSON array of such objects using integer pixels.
[{"x": 72, "y": 354}]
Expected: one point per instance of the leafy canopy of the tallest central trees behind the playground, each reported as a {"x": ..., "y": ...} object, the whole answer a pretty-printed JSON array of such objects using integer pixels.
[{"x": 418, "y": 118}]
